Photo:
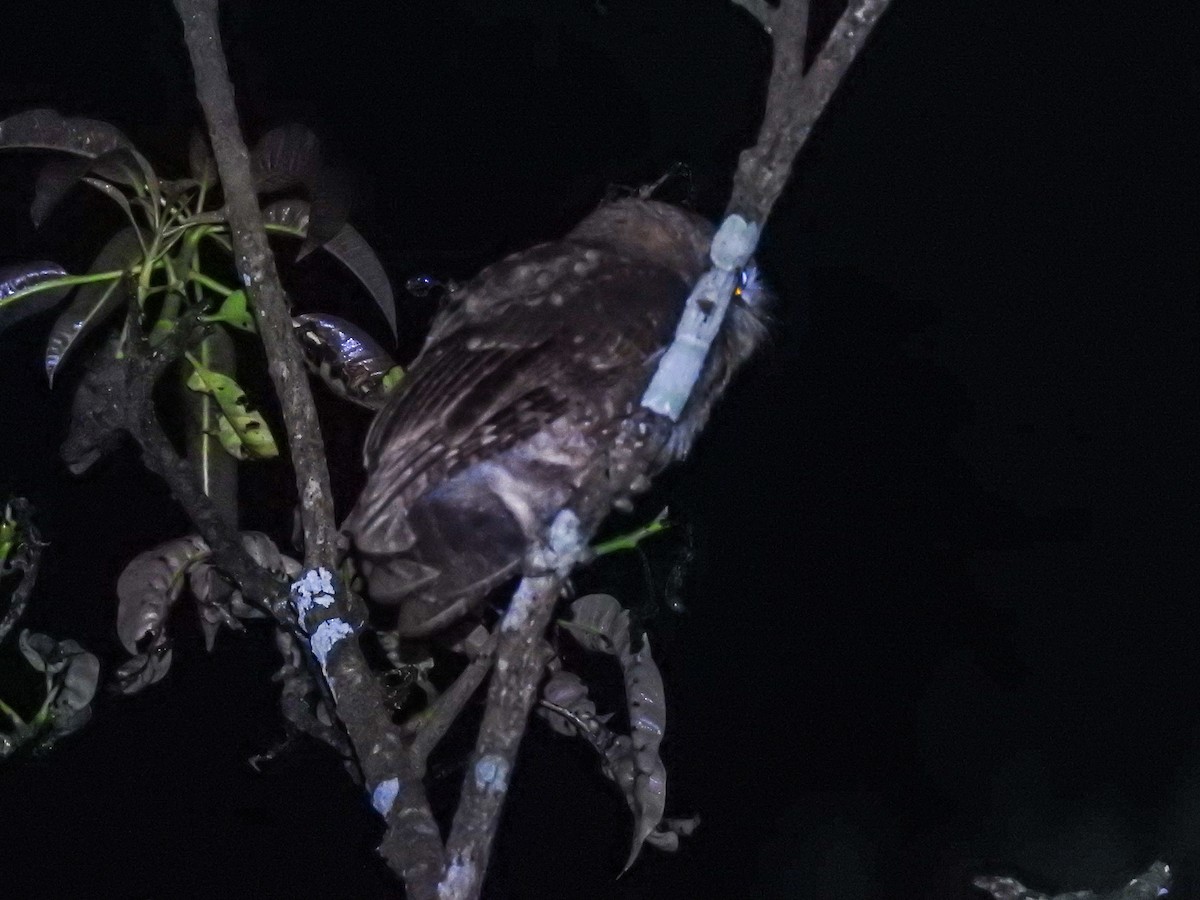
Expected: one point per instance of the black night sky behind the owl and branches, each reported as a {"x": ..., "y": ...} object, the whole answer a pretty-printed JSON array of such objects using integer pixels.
[{"x": 944, "y": 617}]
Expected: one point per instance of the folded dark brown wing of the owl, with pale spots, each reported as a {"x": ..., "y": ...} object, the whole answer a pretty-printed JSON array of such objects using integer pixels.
[{"x": 559, "y": 333}]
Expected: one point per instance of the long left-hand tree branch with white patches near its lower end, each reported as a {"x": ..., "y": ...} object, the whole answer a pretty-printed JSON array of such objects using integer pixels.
[{"x": 329, "y": 615}]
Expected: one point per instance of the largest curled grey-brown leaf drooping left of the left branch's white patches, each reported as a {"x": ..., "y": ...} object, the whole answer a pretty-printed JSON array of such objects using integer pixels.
[{"x": 151, "y": 585}]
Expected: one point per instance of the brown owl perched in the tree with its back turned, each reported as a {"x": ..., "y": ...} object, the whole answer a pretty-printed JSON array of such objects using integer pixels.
[{"x": 526, "y": 401}]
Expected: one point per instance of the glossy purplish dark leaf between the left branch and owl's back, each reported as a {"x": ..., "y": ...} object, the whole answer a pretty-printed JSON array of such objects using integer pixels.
[{"x": 347, "y": 359}]
